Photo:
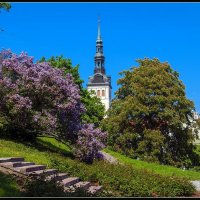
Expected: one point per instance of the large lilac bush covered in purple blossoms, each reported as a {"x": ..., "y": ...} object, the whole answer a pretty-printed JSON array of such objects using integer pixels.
[{"x": 36, "y": 98}]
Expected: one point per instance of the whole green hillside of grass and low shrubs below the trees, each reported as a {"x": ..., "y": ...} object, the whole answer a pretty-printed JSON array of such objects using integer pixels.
[{"x": 133, "y": 178}]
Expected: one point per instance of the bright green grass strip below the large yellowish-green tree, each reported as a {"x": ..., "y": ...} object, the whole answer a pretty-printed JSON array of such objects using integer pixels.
[{"x": 155, "y": 168}]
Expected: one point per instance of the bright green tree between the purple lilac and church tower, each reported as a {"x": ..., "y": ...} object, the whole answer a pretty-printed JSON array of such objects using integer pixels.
[{"x": 94, "y": 108}]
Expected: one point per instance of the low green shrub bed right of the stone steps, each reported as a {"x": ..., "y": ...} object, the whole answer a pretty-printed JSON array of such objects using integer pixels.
[{"x": 126, "y": 181}]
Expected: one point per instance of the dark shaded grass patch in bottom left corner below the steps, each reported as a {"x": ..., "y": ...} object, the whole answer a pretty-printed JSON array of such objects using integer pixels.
[{"x": 8, "y": 186}]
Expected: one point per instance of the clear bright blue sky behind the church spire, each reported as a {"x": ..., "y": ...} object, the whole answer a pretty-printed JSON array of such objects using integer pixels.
[{"x": 167, "y": 31}]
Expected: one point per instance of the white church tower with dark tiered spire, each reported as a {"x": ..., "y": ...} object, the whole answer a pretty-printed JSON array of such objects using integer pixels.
[{"x": 99, "y": 82}]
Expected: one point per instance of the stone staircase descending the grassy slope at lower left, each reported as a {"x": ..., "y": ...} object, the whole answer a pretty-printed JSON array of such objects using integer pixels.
[{"x": 19, "y": 167}]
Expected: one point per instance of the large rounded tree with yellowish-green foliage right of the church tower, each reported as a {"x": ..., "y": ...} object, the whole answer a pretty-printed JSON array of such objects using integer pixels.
[{"x": 151, "y": 118}]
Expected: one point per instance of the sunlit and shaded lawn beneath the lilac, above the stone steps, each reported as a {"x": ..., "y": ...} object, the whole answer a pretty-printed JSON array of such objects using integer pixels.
[{"x": 41, "y": 152}]
